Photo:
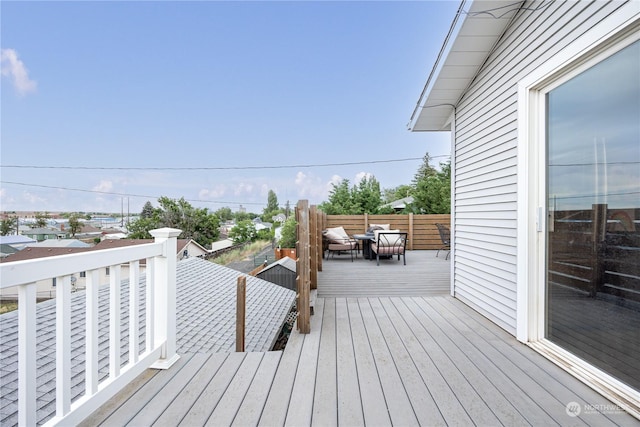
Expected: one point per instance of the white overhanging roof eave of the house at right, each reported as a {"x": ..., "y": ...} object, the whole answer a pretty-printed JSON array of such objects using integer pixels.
[{"x": 472, "y": 37}]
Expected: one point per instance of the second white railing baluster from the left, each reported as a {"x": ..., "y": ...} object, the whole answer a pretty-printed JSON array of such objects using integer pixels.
[{"x": 63, "y": 345}]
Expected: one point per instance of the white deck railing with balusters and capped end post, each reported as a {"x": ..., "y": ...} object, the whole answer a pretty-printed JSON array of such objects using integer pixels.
[{"x": 160, "y": 329}]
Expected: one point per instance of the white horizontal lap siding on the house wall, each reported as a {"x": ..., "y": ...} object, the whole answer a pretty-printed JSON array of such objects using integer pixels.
[{"x": 485, "y": 194}]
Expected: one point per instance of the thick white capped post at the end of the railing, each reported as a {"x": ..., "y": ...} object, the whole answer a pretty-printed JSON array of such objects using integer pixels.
[{"x": 165, "y": 296}]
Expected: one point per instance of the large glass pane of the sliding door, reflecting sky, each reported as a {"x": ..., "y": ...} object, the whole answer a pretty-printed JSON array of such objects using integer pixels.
[{"x": 592, "y": 281}]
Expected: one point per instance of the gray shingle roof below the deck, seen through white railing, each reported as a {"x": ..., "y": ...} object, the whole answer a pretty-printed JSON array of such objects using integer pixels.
[{"x": 205, "y": 323}]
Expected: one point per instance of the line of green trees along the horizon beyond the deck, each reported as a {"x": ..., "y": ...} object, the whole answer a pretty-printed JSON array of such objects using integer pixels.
[{"x": 429, "y": 189}]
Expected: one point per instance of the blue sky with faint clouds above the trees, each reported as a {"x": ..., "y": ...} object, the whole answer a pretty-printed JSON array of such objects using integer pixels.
[{"x": 207, "y": 84}]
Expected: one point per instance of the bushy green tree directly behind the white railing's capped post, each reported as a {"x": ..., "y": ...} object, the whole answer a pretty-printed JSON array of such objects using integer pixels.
[{"x": 196, "y": 223}]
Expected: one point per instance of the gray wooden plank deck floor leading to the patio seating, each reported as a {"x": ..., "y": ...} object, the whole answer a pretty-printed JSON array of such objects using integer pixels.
[{"x": 374, "y": 360}]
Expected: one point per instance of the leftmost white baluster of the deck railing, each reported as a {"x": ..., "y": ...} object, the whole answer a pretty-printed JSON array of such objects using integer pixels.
[{"x": 27, "y": 355}]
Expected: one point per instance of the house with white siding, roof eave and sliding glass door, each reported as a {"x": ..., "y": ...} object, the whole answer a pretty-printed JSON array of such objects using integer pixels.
[{"x": 542, "y": 100}]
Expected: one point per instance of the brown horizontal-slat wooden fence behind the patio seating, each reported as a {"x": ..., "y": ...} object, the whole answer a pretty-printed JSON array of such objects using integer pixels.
[{"x": 421, "y": 229}]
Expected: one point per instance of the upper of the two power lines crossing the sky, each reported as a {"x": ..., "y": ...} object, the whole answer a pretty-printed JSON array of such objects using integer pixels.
[{"x": 190, "y": 168}]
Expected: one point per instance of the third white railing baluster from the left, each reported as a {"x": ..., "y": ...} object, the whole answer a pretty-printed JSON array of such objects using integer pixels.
[{"x": 91, "y": 335}]
